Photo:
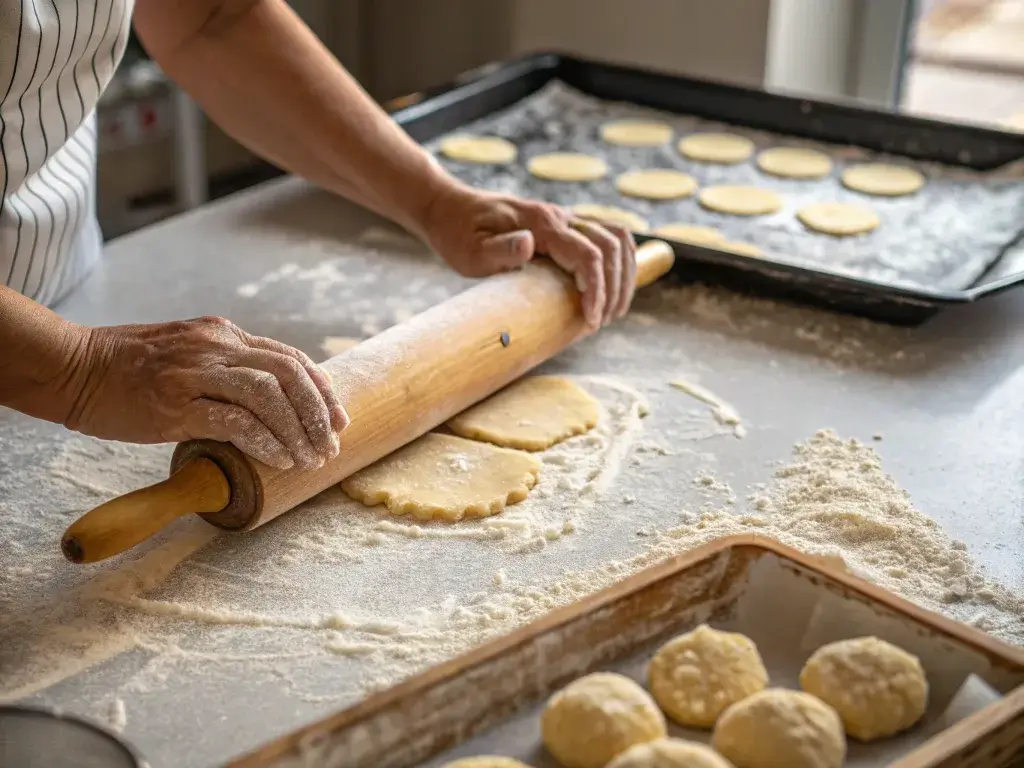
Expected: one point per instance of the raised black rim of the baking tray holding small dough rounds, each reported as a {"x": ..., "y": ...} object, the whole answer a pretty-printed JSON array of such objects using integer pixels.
[{"x": 480, "y": 93}]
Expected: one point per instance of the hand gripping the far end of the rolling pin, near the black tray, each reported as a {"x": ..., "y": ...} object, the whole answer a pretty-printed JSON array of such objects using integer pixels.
[{"x": 481, "y": 234}]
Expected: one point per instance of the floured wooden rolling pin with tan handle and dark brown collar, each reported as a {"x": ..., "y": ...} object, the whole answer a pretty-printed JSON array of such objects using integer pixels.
[{"x": 396, "y": 387}]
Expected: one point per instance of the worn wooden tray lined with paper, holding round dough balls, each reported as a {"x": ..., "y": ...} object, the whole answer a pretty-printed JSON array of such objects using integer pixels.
[{"x": 488, "y": 701}]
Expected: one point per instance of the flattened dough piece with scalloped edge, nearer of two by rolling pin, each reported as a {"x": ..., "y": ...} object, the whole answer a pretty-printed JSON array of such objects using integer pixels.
[{"x": 441, "y": 477}]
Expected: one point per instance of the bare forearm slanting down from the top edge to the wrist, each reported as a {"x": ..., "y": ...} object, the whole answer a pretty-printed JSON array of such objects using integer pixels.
[{"x": 266, "y": 78}]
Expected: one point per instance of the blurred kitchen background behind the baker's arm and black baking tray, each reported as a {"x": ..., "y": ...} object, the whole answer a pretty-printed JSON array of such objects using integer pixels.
[{"x": 955, "y": 60}]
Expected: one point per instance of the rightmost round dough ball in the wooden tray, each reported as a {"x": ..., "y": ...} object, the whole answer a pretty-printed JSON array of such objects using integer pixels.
[{"x": 877, "y": 689}]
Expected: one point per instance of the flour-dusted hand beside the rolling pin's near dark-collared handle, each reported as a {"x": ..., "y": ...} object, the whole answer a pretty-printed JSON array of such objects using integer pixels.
[{"x": 207, "y": 378}]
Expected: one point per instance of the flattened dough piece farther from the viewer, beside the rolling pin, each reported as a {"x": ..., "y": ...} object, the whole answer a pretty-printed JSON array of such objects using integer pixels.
[{"x": 532, "y": 414}]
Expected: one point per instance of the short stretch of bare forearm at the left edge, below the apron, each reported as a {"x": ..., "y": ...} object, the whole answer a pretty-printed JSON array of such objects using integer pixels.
[{"x": 41, "y": 357}]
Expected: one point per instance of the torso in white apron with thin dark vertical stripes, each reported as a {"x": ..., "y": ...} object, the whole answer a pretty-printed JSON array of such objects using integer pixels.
[{"x": 56, "y": 59}]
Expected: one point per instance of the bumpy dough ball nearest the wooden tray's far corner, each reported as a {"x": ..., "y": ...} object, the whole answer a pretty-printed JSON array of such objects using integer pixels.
[{"x": 697, "y": 676}]
